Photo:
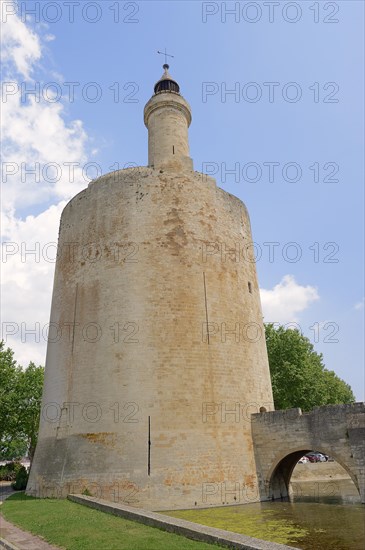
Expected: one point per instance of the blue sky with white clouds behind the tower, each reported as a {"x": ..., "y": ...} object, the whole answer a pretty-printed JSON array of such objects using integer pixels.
[{"x": 276, "y": 92}]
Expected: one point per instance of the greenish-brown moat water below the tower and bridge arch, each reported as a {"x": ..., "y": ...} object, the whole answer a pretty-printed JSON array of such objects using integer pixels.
[{"x": 320, "y": 516}]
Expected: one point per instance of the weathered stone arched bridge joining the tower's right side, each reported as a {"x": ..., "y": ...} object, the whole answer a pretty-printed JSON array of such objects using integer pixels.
[{"x": 282, "y": 437}]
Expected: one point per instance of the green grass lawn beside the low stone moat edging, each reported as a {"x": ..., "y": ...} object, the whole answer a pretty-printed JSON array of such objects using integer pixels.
[{"x": 76, "y": 527}]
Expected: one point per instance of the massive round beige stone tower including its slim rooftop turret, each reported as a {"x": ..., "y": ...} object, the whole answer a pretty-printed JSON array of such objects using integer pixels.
[{"x": 156, "y": 355}]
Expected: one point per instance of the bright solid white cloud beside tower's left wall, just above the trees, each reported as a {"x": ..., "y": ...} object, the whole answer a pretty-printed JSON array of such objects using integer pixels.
[{"x": 28, "y": 260}]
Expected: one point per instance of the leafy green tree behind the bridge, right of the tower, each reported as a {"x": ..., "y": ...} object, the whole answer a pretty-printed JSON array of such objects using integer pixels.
[{"x": 298, "y": 375}]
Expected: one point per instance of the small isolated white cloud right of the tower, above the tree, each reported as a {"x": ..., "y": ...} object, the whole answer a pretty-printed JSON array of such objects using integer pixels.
[{"x": 286, "y": 300}]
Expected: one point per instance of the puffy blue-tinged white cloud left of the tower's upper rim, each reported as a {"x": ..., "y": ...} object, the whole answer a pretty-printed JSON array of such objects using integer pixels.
[{"x": 37, "y": 138}]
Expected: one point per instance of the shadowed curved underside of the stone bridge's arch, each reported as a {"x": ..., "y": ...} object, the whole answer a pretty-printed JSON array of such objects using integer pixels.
[{"x": 278, "y": 477}]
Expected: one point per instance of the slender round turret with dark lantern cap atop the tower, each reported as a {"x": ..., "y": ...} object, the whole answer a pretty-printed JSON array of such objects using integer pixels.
[{"x": 167, "y": 116}]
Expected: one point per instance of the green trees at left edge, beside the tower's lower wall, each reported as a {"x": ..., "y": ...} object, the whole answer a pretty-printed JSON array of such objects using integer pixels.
[{"x": 20, "y": 402}]
